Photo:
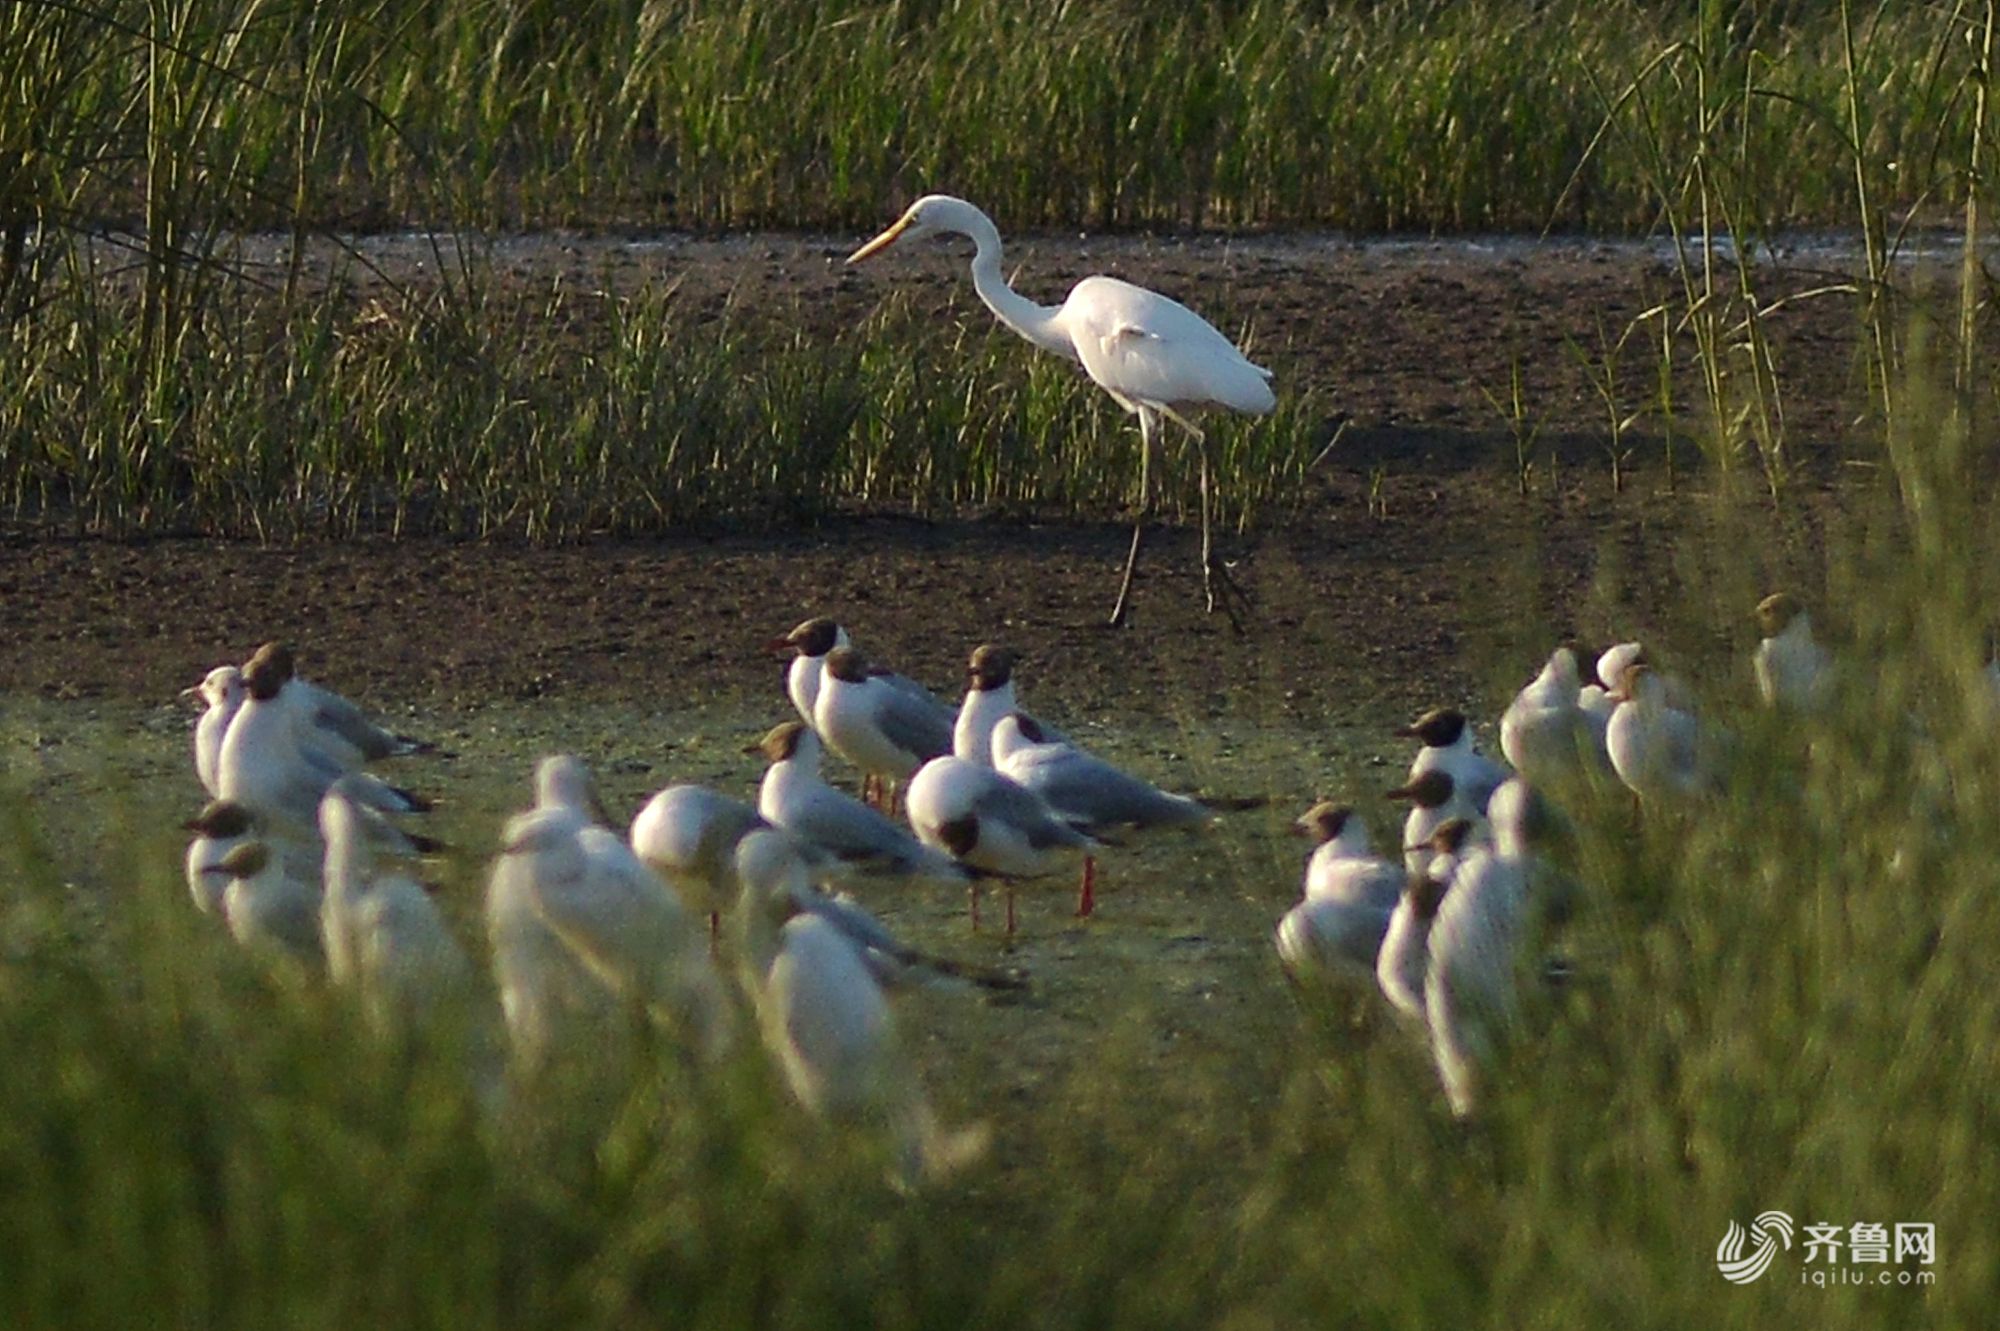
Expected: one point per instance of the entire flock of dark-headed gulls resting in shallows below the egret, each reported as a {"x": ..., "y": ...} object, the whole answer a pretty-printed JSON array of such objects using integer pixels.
[{"x": 305, "y": 856}]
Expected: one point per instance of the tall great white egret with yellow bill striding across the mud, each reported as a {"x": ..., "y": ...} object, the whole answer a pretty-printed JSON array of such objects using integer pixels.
[{"x": 1153, "y": 355}]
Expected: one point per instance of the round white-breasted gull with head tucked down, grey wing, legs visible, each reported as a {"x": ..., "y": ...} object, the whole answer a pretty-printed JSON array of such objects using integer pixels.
[{"x": 991, "y": 824}]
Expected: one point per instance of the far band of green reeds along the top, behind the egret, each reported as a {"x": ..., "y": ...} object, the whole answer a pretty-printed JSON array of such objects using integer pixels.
[{"x": 807, "y": 113}]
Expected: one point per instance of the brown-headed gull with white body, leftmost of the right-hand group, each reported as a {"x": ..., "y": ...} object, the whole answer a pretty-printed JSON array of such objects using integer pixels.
[{"x": 1349, "y": 894}]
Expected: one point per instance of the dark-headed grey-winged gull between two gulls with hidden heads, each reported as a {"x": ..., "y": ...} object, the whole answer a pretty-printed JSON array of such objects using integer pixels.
[{"x": 863, "y": 840}]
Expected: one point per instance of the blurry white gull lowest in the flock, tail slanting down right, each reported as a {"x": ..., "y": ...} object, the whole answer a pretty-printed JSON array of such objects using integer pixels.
[{"x": 827, "y": 1022}]
